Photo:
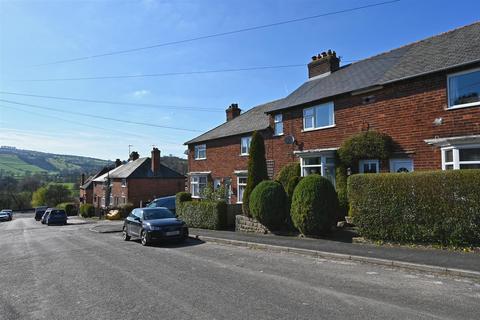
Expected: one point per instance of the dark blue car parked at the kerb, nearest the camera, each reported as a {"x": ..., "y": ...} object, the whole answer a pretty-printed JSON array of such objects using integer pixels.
[{"x": 152, "y": 224}]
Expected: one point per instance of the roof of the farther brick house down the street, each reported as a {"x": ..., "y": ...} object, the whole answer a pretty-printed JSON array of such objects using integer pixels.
[{"x": 140, "y": 168}]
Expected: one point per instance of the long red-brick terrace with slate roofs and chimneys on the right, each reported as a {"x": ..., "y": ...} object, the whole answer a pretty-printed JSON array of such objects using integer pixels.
[{"x": 425, "y": 95}]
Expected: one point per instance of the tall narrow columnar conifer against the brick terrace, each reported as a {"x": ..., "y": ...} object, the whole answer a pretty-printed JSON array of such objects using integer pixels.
[{"x": 257, "y": 169}]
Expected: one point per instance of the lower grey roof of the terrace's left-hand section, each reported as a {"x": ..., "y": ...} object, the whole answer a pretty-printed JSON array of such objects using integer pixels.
[{"x": 252, "y": 120}]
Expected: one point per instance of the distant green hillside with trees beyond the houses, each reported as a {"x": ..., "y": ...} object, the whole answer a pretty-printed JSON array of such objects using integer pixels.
[{"x": 18, "y": 162}]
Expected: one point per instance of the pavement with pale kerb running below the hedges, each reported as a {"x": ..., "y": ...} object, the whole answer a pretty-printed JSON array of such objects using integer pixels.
[{"x": 424, "y": 259}]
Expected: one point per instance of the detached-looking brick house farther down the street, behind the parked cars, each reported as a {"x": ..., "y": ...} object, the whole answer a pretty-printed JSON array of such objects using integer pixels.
[{"x": 136, "y": 182}]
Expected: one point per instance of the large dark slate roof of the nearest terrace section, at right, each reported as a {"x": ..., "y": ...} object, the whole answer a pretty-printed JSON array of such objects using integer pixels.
[{"x": 441, "y": 52}]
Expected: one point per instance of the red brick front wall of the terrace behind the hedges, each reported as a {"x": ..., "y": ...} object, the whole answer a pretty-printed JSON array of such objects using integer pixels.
[{"x": 404, "y": 110}]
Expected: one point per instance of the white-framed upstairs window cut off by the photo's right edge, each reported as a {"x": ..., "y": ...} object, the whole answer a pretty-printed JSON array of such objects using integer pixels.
[{"x": 464, "y": 89}]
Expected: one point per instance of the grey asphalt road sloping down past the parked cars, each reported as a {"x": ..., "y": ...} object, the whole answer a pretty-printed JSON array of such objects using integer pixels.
[{"x": 69, "y": 272}]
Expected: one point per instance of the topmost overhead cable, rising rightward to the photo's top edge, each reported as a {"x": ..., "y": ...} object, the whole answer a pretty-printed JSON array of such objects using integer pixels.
[{"x": 220, "y": 34}]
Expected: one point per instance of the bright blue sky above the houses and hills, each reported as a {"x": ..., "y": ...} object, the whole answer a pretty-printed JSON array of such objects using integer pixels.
[{"x": 171, "y": 109}]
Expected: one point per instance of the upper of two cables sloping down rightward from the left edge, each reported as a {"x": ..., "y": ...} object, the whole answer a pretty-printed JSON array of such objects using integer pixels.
[{"x": 156, "y": 106}]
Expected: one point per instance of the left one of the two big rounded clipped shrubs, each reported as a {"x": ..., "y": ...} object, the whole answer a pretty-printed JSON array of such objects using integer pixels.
[{"x": 268, "y": 204}]
